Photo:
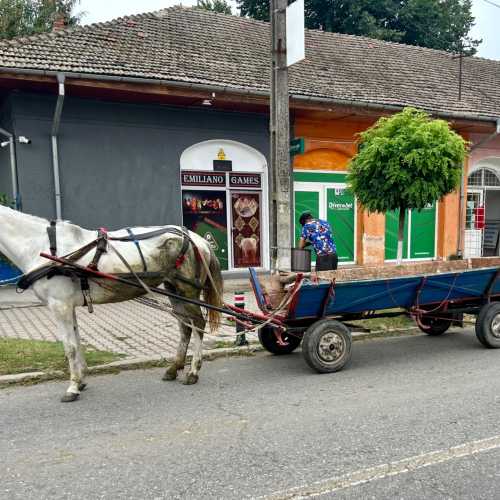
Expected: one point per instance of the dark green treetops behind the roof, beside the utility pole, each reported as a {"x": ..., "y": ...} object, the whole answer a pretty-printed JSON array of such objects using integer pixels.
[{"x": 437, "y": 24}]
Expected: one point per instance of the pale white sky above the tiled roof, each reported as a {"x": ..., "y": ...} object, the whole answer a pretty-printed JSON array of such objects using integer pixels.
[{"x": 486, "y": 12}]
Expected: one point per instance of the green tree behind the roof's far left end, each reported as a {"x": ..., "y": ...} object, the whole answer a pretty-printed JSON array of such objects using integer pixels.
[{"x": 28, "y": 17}]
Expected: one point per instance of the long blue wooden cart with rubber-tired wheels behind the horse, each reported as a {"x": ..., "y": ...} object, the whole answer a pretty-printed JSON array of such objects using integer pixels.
[{"x": 316, "y": 312}]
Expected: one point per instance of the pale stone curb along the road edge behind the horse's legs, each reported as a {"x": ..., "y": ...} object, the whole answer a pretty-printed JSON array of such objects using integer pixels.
[{"x": 159, "y": 361}]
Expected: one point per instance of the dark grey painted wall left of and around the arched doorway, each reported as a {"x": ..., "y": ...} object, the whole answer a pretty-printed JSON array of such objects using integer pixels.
[{"x": 119, "y": 163}]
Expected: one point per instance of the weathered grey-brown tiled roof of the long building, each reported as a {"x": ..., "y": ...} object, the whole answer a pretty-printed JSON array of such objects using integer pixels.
[{"x": 196, "y": 46}]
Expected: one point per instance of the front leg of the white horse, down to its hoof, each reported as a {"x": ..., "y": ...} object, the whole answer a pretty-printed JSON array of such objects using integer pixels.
[{"x": 65, "y": 317}]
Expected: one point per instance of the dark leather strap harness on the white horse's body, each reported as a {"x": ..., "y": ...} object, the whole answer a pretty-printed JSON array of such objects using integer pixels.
[{"x": 101, "y": 246}]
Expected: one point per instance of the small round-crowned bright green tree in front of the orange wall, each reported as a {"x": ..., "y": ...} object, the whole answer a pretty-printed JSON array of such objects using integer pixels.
[{"x": 406, "y": 161}]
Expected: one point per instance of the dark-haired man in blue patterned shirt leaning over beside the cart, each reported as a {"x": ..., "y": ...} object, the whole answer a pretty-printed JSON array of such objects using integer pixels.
[{"x": 318, "y": 233}]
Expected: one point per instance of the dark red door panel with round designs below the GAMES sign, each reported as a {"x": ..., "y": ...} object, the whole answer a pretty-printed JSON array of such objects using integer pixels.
[{"x": 246, "y": 229}]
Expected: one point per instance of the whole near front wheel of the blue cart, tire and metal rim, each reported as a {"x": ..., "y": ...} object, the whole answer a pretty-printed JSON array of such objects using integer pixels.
[{"x": 327, "y": 346}]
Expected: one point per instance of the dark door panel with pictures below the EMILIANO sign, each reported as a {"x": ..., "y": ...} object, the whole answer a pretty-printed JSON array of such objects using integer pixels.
[{"x": 204, "y": 212}]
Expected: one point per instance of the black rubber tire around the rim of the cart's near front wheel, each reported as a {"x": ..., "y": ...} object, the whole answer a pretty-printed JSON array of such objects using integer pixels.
[{"x": 311, "y": 341}]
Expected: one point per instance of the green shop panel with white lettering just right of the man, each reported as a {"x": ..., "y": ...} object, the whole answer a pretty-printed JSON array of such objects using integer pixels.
[{"x": 340, "y": 215}]
